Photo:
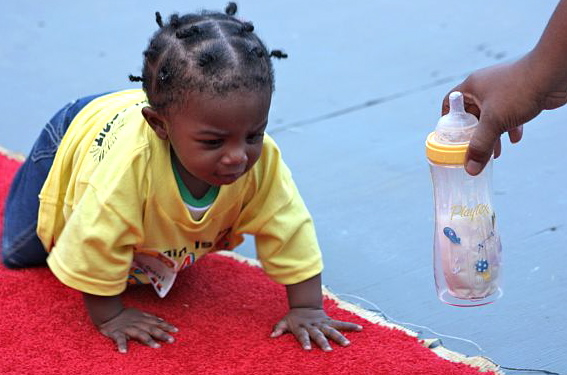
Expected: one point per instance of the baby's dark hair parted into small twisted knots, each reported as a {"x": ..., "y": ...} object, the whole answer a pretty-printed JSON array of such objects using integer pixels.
[{"x": 207, "y": 52}]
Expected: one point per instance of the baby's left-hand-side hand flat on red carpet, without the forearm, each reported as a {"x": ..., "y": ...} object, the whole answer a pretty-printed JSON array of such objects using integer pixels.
[{"x": 135, "y": 324}]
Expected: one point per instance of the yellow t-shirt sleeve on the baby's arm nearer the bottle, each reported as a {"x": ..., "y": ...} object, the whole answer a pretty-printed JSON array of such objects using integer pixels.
[{"x": 286, "y": 242}]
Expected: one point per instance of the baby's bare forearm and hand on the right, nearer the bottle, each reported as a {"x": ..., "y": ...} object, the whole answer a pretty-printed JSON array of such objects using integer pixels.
[{"x": 308, "y": 321}]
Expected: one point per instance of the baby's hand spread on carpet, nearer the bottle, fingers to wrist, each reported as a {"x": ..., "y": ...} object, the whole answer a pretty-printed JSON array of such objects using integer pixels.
[{"x": 308, "y": 324}]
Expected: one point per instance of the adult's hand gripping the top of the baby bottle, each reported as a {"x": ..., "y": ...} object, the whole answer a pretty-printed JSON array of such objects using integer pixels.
[{"x": 503, "y": 97}]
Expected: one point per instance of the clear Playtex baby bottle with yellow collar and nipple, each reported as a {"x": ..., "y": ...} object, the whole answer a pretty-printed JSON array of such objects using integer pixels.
[{"x": 467, "y": 249}]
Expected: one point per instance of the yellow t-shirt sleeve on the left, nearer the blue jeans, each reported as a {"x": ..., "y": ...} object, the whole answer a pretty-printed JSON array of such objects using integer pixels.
[{"x": 94, "y": 252}]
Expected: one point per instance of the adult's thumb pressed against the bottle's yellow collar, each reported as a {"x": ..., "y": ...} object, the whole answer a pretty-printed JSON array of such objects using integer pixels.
[{"x": 481, "y": 146}]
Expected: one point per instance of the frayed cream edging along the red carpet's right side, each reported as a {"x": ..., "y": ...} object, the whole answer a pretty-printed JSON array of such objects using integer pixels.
[{"x": 482, "y": 363}]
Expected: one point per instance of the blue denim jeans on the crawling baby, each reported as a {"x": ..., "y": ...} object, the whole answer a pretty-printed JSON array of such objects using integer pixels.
[{"x": 21, "y": 246}]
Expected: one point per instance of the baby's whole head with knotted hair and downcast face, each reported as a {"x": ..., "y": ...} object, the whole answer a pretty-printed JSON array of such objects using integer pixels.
[{"x": 209, "y": 81}]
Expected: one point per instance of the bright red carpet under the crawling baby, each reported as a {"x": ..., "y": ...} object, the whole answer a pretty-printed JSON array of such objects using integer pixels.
[{"x": 224, "y": 310}]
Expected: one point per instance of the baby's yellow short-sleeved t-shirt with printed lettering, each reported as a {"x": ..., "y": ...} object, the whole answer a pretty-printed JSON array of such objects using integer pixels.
[{"x": 111, "y": 192}]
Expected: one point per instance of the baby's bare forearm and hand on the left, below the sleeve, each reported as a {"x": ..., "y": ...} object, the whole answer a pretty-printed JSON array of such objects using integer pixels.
[{"x": 121, "y": 324}]
